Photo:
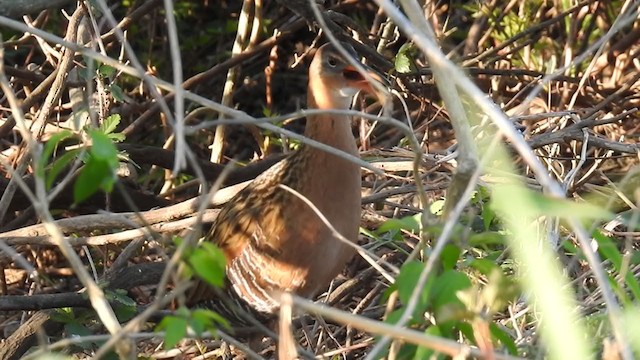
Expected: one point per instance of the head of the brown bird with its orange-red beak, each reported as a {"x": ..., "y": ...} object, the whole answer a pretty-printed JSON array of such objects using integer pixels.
[{"x": 333, "y": 81}]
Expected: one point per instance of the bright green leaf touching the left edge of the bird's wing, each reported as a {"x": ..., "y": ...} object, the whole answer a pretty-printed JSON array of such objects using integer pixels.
[{"x": 209, "y": 262}]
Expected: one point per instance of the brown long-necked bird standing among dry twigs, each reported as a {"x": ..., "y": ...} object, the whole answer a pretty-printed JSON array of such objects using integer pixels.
[{"x": 273, "y": 241}]
